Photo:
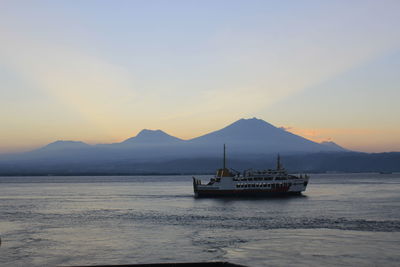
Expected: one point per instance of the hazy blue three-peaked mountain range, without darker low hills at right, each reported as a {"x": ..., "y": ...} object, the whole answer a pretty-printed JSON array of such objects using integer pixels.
[{"x": 248, "y": 140}]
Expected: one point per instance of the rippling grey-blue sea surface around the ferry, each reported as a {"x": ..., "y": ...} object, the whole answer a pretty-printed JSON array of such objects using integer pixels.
[{"x": 342, "y": 219}]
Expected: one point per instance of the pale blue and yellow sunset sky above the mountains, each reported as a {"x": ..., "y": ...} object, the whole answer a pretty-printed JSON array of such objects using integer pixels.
[{"x": 100, "y": 71}]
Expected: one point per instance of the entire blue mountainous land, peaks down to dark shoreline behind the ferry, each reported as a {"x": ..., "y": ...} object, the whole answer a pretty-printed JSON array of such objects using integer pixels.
[{"x": 251, "y": 143}]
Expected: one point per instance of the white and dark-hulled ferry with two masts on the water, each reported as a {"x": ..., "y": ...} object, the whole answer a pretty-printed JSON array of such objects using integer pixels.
[{"x": 261, "y": 183}]
